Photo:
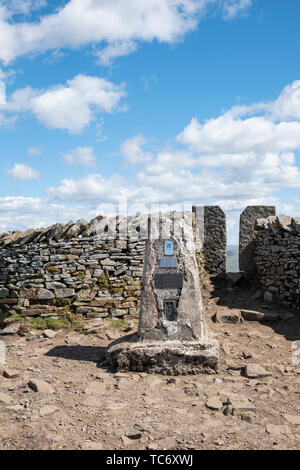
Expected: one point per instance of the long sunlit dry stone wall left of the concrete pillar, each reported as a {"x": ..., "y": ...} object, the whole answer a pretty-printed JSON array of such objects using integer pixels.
[{"x": 88, "y": 274}]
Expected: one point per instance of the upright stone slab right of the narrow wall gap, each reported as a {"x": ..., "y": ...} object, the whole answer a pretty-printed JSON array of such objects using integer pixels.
[{"x": 248, "y": 234}]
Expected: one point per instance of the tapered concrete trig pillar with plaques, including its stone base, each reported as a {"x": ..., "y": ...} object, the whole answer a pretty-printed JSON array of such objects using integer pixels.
[{"x": 172, "y": 337}]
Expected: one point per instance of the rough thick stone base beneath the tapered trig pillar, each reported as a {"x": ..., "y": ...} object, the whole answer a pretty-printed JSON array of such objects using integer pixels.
[{"x": 161, "y": 357}]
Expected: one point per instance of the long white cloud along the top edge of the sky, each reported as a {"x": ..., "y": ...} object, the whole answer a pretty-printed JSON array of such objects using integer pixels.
[{"x": 117, "y": 23}]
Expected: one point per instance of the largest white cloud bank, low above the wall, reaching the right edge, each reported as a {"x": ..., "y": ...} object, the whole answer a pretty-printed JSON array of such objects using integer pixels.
[{"x": 230, "y": 158}]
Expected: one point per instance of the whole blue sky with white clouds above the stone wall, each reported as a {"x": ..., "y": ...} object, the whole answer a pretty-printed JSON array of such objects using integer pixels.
[{"x": 159, "y": 102}]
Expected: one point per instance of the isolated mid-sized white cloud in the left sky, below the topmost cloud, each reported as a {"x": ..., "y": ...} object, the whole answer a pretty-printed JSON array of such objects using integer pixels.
[{"x": 72, "y": 106}]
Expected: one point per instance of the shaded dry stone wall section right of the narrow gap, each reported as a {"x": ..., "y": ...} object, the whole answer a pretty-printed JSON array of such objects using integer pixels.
[{"x": 277, "y": 259}]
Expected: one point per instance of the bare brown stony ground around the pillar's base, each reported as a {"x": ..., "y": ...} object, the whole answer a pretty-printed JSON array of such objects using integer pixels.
[{"x": 55, "y": 393}]
